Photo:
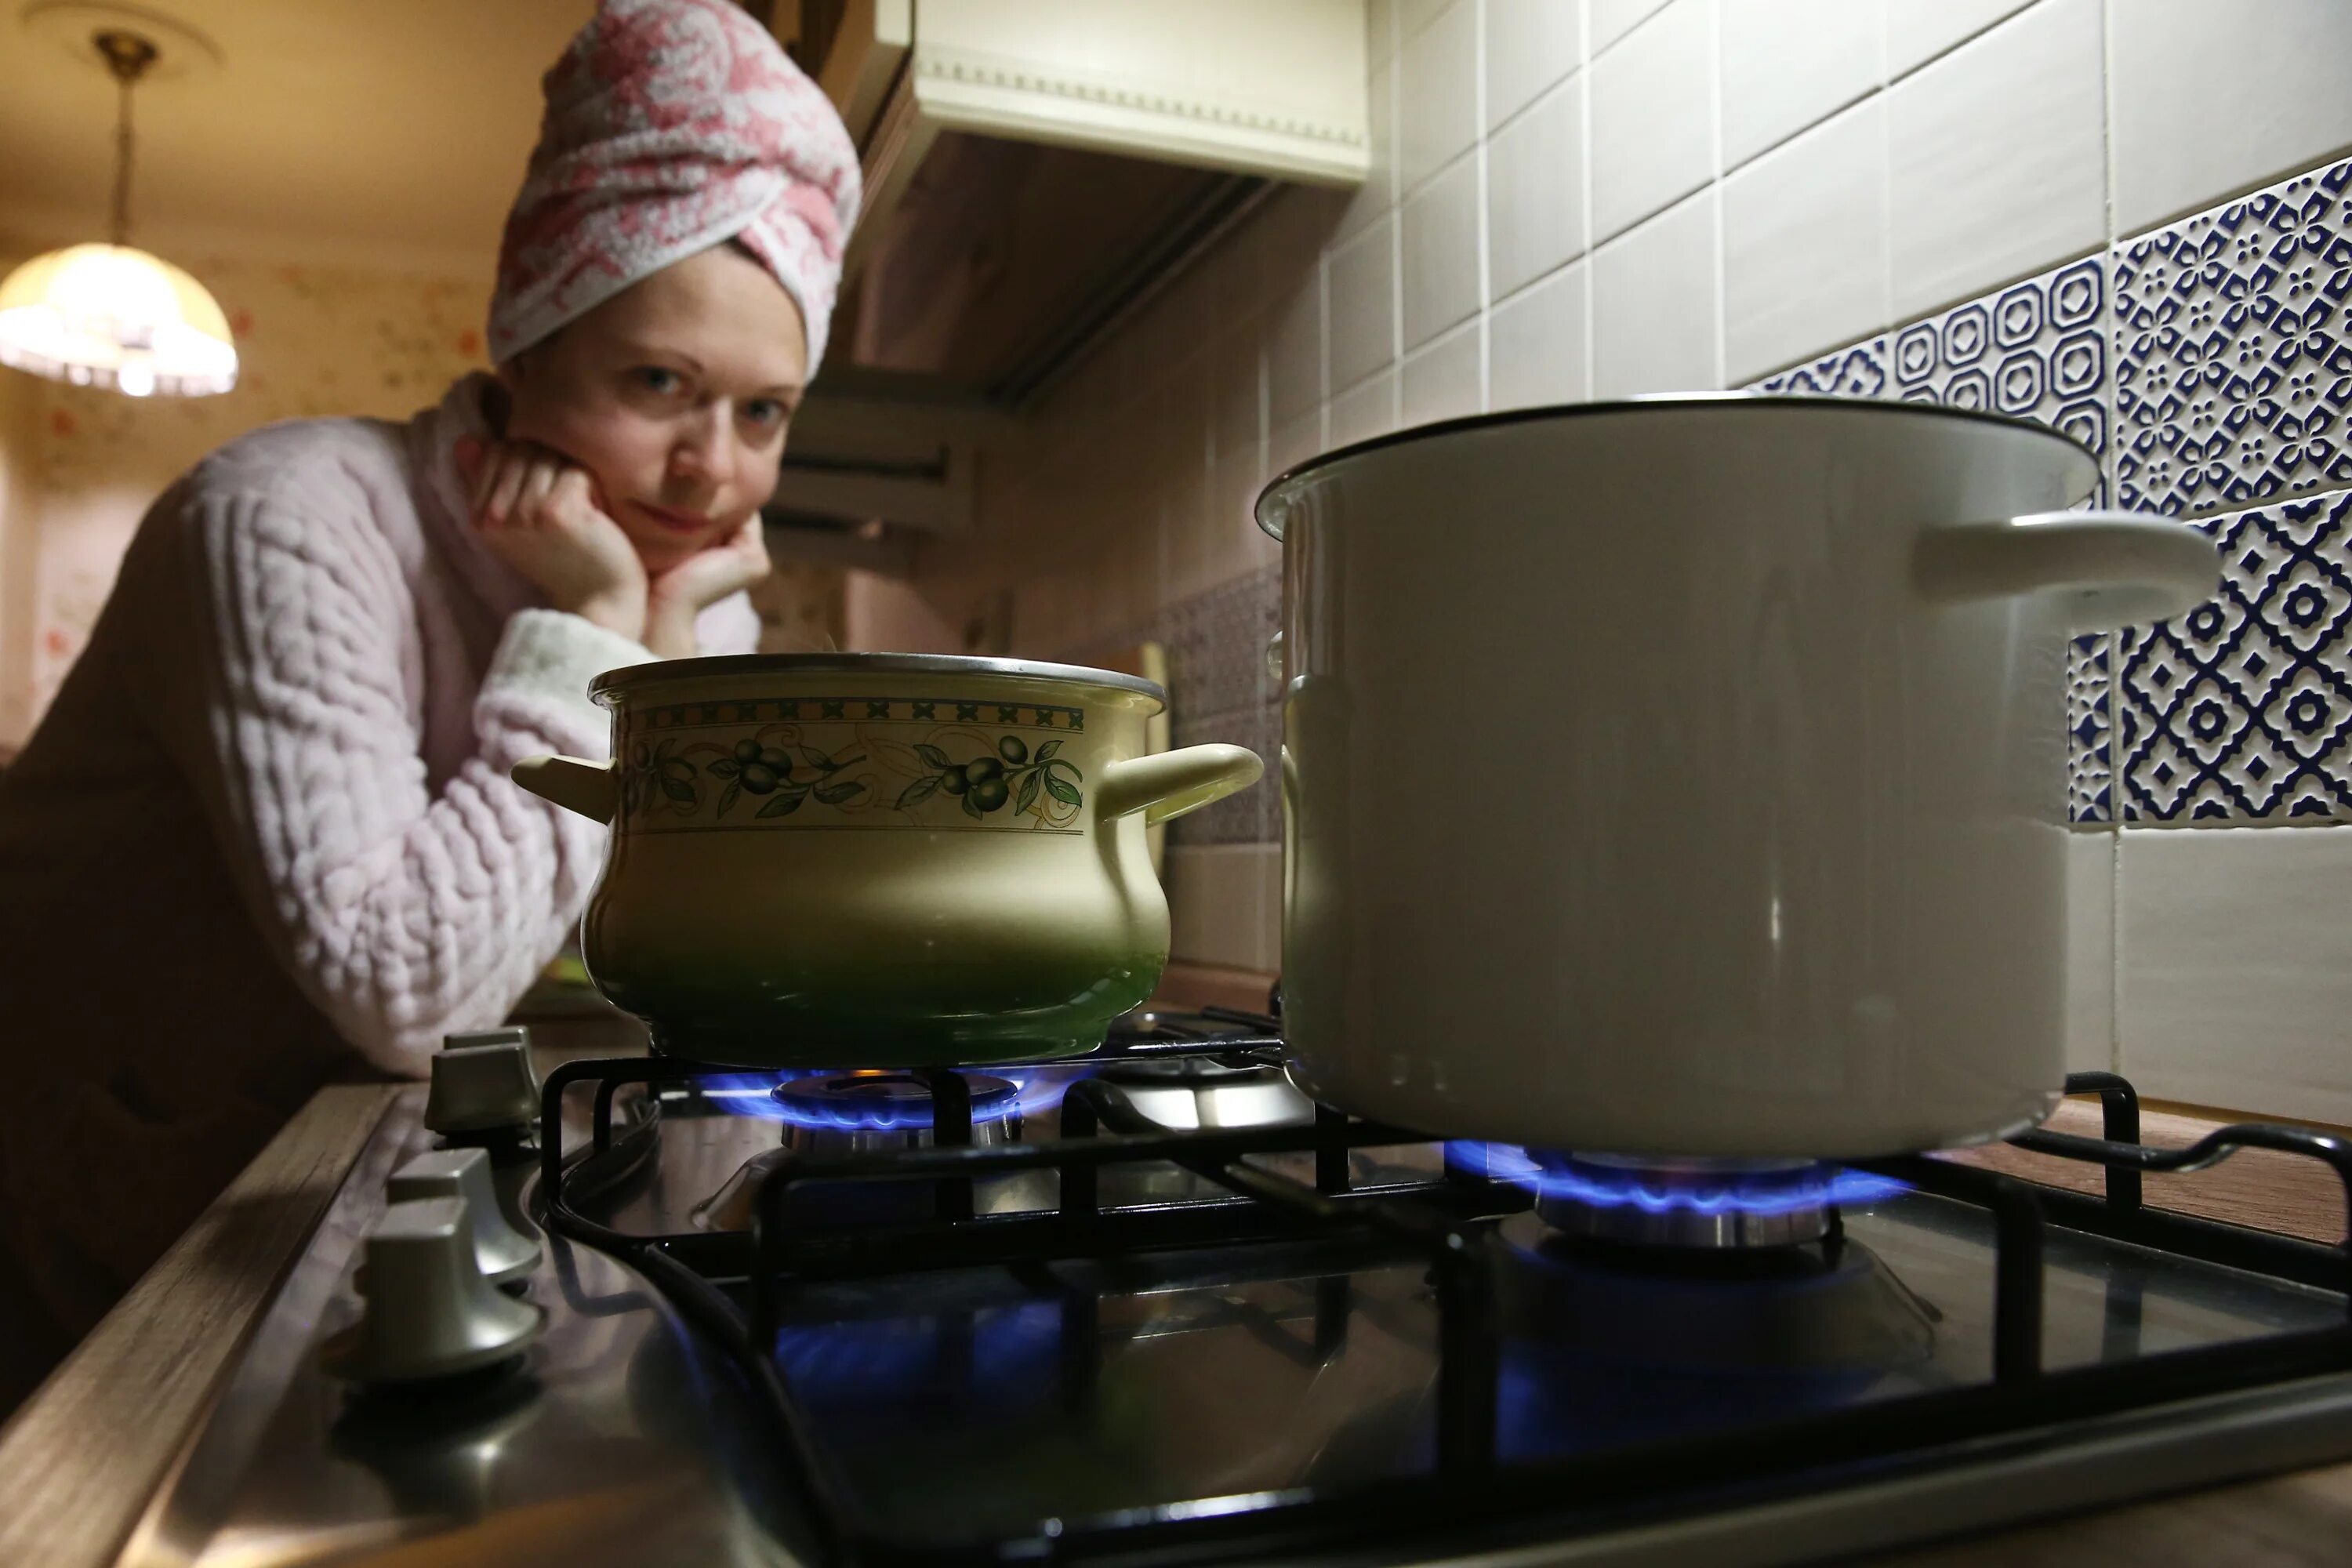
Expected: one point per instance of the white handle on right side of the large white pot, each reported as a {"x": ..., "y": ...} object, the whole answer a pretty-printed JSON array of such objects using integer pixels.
[{"x": 2109, "y": 568}]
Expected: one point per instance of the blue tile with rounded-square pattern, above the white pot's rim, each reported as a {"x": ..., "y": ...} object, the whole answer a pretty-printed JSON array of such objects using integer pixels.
[{"x": 2038, "y": 351}]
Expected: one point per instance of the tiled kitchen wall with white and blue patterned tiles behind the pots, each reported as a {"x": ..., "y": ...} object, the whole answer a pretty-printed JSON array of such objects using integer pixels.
[{"x": 2111, "y": 215}]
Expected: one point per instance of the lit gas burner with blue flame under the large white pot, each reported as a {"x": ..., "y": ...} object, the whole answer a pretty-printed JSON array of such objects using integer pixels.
[{"x": 1678, "y": 1202}]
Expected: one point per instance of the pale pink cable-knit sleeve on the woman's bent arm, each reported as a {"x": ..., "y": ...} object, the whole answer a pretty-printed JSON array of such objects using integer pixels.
[{"x": 403, "y": 911}]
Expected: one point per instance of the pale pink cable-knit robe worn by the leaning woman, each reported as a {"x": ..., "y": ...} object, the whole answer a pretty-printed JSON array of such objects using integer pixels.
[{"x": 267, "y": 833}]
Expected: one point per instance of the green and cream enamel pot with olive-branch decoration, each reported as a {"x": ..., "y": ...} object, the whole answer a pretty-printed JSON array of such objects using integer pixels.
[{"x": 878, "y": 859}]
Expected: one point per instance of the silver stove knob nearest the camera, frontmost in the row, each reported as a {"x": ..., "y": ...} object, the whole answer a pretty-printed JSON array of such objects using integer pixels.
[{"x": 429, "y": 1311}]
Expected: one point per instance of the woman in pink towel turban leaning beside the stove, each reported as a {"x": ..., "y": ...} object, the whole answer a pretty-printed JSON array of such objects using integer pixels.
[{"x": 267, "y": 833}]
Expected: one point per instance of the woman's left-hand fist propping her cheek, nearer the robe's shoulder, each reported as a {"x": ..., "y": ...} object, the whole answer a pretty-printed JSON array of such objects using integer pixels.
[{"x": 537, "y": 511}]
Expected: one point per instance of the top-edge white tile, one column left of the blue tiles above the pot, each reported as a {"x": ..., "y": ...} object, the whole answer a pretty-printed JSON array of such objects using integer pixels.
[{"x": 1655, "y": 119}]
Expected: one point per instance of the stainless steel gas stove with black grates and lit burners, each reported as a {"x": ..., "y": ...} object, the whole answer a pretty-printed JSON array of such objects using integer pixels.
[{"x": 1158, "y": 1306}]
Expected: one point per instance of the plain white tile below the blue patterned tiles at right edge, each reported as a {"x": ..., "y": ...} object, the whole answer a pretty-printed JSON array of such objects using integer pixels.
[{"x": 2236, "y": 970}]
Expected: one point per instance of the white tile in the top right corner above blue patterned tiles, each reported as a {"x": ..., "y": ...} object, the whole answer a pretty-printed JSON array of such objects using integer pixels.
[{"x": 2214, "y": 100}]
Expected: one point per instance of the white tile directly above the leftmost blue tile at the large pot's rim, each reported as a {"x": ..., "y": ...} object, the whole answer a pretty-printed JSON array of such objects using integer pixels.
[{"x": 1805, "y": 246}]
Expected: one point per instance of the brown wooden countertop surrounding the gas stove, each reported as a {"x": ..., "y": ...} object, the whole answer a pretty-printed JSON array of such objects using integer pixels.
[{"x": 93, "y": 1447}]
